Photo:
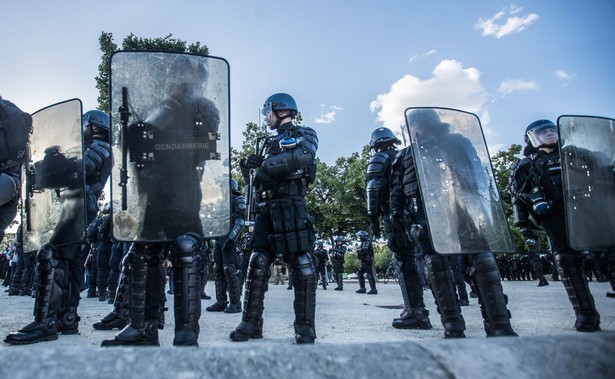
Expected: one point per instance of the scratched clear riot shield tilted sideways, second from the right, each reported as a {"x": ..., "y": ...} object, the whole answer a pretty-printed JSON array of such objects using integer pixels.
[{"x": 461, "y": 200}]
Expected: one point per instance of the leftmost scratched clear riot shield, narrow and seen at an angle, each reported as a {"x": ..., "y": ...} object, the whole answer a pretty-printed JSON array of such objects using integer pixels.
[{"x": 53, "y": 195}]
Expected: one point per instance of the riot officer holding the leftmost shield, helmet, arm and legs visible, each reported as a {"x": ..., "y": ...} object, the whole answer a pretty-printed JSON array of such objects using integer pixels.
[{"x": 60, "y": 270}]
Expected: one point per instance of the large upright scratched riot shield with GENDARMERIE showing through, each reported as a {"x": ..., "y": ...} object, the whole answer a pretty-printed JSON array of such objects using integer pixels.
[{"x": 170, "y": 140}]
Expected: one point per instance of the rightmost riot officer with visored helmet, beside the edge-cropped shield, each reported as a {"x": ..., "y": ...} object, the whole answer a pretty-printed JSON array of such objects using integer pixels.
[{"x": 536, "y": 188}]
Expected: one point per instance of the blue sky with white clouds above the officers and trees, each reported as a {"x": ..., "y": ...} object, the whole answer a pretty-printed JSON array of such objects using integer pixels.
[{"x": 352, "y": 66}]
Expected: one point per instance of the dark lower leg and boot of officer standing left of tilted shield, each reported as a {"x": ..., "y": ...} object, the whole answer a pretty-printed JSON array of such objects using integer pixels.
[{"x": 414, "y": 315}]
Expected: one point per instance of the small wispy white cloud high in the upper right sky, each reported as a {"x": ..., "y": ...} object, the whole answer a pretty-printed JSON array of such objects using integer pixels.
[{"x": 497, "y": 27}]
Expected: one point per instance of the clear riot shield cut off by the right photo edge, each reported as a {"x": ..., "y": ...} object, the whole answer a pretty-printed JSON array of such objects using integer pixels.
[{"x": 588, "y": 173}]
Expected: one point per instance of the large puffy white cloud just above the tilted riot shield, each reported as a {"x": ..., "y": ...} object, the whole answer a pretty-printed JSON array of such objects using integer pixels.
[{"x": 451, "y": 86}]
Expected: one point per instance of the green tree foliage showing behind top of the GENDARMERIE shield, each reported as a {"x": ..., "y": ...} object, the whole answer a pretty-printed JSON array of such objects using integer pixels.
[{"x": 132, "y": 42}]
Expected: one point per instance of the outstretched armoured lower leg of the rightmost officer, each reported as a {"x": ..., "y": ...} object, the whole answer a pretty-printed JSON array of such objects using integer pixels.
[{"x": 571, "y": 273}]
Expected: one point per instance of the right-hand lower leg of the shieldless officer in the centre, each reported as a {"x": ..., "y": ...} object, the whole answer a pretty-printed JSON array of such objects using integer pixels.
[{"x": 304, "y": 283}]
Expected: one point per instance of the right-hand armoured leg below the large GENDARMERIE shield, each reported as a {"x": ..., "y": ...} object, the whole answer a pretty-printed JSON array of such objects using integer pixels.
[{"x": 187, "y": 295}]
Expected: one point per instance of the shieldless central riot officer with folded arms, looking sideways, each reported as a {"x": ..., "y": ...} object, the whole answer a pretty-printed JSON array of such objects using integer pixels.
[{"x": 282, "y": 224}]
